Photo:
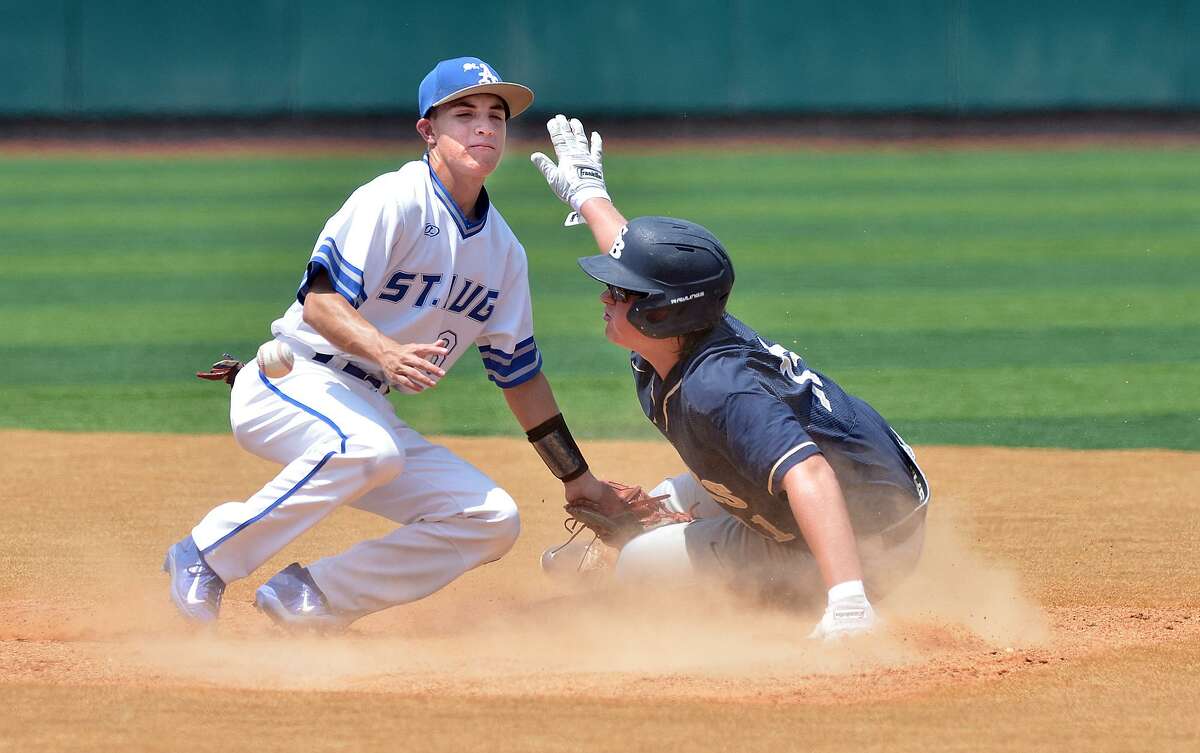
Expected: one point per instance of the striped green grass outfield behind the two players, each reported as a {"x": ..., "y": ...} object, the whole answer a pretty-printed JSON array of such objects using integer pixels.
[{"x": 1011, "y": 298}]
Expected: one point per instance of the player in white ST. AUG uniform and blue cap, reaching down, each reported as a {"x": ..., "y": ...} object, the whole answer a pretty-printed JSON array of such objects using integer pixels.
[{"x": 413, "y": 270}]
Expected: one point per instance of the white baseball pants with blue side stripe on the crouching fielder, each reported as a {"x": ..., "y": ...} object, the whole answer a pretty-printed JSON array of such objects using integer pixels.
[{"x": 341, "y": 443}]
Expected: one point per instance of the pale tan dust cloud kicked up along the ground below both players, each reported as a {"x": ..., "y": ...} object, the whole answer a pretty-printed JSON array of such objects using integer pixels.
[{"x": 700, "y": 641}]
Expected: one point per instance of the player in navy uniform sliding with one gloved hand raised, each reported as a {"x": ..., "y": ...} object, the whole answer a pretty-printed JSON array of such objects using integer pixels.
[{"x": 797, "y": 487}]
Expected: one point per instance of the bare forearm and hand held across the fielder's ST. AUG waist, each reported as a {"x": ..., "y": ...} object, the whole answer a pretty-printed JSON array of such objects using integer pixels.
[{"x": 332, "y": 316}]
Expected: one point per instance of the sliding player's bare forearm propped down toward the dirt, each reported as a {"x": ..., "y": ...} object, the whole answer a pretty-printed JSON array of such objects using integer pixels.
[{"x": 820, "y": 510}]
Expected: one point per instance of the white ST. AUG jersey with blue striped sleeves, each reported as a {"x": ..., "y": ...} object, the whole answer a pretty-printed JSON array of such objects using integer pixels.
[{"x": 404, "y": 255}]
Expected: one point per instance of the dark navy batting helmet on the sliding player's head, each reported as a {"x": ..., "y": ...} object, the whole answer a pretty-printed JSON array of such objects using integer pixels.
[{"x": 681, "y": 269}]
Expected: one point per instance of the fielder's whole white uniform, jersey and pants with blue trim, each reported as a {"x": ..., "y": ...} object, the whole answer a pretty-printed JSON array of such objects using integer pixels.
[{"x": 411, "y": 263}]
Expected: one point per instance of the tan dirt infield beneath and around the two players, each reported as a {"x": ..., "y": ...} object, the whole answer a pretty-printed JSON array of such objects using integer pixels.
[{"x": 1058, "y": 607}]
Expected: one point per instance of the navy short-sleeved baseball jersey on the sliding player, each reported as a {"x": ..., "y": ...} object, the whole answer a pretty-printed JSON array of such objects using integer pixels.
[{"x": 742, "y": 412}]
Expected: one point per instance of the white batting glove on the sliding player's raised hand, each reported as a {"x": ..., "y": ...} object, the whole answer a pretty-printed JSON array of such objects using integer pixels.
[{"x": 579, "y": 174}]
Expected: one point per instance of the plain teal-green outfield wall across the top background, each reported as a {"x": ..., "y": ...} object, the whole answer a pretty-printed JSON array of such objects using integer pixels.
[{"x": 121, "y": 58}]
